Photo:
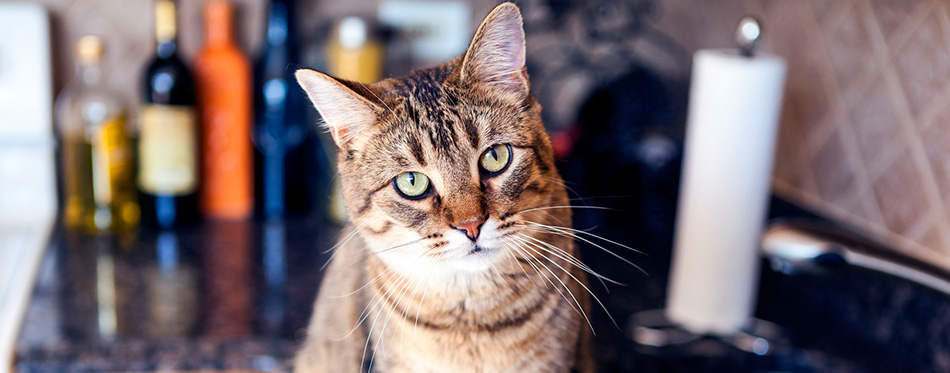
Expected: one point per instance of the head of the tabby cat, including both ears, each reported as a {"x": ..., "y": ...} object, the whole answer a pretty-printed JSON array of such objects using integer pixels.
[{"x": 441, "y": 169}]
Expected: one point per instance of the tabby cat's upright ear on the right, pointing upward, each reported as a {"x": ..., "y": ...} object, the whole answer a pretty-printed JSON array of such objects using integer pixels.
[{"x": 496, "y": 56}]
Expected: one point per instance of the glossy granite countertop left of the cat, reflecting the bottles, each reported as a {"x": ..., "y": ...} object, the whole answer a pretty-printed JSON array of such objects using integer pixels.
[{"x": 220, "y": 295}]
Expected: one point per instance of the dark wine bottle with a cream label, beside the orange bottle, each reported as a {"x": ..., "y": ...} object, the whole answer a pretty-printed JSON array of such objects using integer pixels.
[{"x": 168, "y": 145}]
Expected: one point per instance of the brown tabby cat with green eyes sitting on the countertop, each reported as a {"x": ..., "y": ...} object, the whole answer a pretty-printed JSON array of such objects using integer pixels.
[{"x": 459, "y": 253}]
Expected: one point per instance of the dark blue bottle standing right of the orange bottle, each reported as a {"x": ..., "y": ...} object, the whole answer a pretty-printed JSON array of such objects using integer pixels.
[{"x": 280, "y": 127}]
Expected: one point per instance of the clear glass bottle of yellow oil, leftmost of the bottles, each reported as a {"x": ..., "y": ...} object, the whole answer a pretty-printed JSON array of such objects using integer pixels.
[{"x": 97, "y": 149}]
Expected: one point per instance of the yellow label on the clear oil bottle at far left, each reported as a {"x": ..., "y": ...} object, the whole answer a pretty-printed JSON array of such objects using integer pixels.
[{"x": 111, "y": 169}]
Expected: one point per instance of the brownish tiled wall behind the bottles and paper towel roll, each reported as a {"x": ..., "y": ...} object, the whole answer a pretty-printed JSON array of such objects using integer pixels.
[{"x": 865, "y": 134}]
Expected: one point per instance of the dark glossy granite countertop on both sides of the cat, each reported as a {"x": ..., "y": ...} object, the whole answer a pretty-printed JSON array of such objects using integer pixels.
[{"x": 238, "y": 295}]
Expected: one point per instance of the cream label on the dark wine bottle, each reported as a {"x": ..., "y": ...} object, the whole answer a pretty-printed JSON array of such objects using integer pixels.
[{"x": 168, "y": 150}]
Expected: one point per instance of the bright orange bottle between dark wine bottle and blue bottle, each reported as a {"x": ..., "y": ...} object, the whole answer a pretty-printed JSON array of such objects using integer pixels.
[{"x": 223, "y": 77}]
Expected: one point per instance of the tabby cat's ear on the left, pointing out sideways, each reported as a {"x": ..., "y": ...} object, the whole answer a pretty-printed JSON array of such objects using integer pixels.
[{"x": 345, "y": 112}]
